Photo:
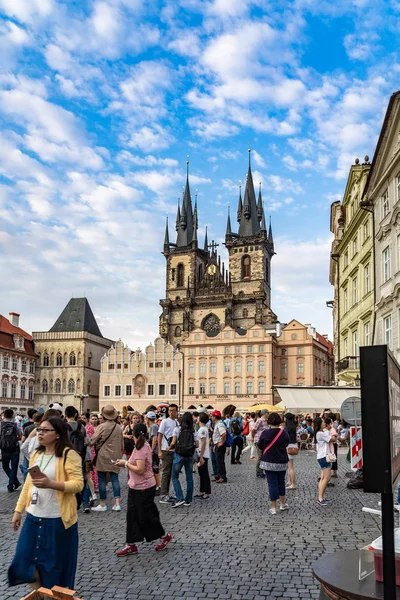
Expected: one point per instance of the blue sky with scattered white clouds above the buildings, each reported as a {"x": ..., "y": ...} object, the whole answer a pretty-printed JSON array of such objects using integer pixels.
[{"x": 102, "y": 101}]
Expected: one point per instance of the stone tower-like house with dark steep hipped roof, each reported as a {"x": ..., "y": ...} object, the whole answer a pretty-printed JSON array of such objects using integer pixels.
[{"x": 69, "y": 356}]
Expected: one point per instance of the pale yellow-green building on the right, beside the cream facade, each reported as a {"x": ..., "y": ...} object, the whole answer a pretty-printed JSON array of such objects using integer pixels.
[{"x": 352, "y": 274}]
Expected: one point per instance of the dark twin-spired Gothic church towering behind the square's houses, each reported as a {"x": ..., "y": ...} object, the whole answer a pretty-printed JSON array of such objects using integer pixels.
[{"x": 200, "y": 293}]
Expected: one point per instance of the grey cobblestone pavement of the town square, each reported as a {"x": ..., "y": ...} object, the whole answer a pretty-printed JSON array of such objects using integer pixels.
[{"x": 228, "y": 548}]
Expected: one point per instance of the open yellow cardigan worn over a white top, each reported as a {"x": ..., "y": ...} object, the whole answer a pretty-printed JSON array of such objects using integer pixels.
[{"x": 71, "y": 475}]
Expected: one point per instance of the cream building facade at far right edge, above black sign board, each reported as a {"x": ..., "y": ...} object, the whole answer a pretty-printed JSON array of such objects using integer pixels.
[{"x": 382, "y": 195}]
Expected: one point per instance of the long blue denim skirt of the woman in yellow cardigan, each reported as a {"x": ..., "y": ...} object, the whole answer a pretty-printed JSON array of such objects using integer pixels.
[{"x": 45, "y": 545}]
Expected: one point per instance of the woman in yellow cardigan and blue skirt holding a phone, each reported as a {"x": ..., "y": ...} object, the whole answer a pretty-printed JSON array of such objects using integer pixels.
[{"x": 47, "y": 548}]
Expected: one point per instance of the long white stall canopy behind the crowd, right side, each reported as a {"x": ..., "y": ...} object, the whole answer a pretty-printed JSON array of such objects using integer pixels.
[{"x": 313, "y": 399}]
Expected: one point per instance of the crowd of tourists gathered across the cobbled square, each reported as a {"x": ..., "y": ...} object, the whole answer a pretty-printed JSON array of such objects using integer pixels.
[{"x": 69, "y": 460}]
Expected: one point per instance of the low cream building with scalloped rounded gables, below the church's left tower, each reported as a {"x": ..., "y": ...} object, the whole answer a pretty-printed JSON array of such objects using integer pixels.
[{"x": 136, "y": 379}]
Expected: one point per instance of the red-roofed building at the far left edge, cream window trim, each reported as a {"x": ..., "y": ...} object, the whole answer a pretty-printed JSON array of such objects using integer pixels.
[{"x": 17, "y": 366}]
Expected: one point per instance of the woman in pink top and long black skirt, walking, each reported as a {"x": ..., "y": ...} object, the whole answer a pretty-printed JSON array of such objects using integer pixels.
[{"x": 143, "y": 518}]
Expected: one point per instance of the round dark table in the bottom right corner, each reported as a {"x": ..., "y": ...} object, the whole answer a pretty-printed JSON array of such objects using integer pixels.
[{"x": 338, "y": 574}]
